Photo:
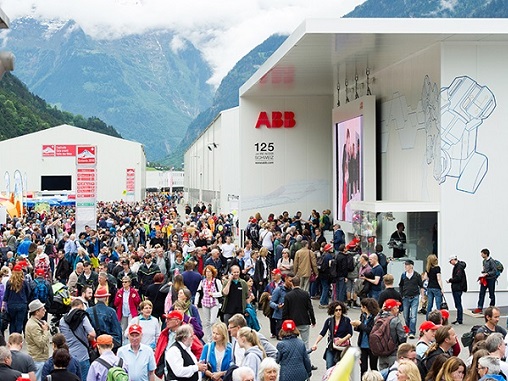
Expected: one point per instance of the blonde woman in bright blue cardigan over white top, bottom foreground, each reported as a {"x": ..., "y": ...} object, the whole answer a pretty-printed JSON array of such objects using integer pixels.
[{"x": 217, "y": 354}]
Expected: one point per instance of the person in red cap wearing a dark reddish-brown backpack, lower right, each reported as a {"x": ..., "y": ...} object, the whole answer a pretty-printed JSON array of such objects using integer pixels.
[{"x": 387, "y": 334}]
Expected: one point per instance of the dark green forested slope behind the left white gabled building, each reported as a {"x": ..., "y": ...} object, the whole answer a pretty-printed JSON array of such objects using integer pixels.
[{"x": 22, "y": 112}]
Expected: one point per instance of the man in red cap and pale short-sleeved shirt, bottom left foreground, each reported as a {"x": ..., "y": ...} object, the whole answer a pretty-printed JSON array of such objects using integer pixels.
[{"x": 139, "y": 356}]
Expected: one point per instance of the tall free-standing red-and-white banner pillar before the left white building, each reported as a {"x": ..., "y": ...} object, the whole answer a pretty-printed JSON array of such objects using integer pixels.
[{"x": 86, "y": 187}]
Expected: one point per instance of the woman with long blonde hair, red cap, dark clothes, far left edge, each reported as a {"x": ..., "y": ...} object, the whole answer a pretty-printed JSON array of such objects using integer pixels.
[{"x": 17, "y": 295}]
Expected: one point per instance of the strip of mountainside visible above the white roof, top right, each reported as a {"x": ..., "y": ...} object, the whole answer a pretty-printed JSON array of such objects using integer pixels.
[{"x": 431, "y": 8}]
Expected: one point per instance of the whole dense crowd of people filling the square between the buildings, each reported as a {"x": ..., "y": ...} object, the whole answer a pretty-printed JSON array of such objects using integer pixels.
[{"x": 149, "y": 292}]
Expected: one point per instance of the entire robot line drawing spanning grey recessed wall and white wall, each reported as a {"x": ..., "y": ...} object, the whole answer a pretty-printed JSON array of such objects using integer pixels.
[{"x": 451, "y": 118}]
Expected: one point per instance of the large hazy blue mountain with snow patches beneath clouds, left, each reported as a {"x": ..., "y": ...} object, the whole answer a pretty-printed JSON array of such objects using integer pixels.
[{"x": 147, "y": 86}]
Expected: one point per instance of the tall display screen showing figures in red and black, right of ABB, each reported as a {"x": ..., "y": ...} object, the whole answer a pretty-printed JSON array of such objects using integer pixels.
[{"x": 349, "y": 165}]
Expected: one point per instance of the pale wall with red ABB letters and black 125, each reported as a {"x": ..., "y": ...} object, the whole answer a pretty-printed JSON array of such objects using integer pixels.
[{"x": 297, "y": 174}]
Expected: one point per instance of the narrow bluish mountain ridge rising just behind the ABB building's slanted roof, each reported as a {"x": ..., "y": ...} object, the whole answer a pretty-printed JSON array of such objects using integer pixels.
[{"x": 226, "y": 95}]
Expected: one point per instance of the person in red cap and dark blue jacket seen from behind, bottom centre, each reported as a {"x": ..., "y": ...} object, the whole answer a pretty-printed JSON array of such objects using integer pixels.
[{"x": 292, "y": 355}]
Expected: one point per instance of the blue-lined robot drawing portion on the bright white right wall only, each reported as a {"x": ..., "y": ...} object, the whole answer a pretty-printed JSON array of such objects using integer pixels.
[{"x": 464, "y": 106}]
